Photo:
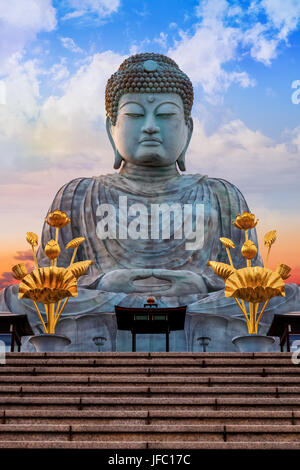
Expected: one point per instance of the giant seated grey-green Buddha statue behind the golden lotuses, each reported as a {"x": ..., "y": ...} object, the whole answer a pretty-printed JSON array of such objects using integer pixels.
[{"x": 150, "y": 229}]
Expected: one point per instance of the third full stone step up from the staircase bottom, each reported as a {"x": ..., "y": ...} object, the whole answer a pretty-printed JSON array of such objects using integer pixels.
[{"x": 140, "y": 403}]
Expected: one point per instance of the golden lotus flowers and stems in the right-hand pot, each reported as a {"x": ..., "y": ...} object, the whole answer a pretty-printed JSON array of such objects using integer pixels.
[{"x": 252, "y": 284}]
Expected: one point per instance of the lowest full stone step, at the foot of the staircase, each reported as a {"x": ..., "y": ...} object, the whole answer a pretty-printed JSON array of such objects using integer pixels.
[{"x": 151, "y": 432}]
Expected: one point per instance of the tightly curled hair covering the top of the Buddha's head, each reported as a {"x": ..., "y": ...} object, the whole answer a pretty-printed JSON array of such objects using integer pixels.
[{"x": 148, "y": 73}]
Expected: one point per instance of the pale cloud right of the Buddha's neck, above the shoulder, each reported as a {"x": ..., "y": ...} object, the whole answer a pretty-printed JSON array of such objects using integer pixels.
[{"x": 247, "y": 158}]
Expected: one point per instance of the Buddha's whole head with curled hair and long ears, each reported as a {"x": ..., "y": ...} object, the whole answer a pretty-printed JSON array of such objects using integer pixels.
[{"x": 148, "y": 105}]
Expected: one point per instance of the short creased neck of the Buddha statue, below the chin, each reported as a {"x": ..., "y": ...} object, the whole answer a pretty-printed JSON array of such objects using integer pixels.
[{"x": 132, "y": 171}]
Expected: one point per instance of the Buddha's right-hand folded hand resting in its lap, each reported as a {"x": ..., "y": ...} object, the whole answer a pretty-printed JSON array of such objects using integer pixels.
[{"x": 181, "y": 282}]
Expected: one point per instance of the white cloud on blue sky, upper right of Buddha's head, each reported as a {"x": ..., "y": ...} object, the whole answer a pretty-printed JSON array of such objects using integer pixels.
[{"x": 210, "y": 52}]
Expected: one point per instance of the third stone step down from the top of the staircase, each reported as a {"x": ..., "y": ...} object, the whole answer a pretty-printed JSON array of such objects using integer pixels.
[{"x": 250, "y": 381}]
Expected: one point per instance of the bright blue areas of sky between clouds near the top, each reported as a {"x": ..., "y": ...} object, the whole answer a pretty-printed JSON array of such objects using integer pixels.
[{"x": 158, "y": 26}]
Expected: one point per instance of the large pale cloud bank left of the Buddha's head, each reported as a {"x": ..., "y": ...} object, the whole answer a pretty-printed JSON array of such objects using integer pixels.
[{"x": 67, "y": 131}]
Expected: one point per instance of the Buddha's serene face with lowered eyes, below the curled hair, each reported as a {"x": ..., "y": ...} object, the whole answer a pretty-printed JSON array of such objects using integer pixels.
[{"x": 150, "y": 128}]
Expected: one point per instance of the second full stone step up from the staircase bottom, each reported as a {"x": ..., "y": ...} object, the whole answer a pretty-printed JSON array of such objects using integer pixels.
[{"x": 170, "y": 417}]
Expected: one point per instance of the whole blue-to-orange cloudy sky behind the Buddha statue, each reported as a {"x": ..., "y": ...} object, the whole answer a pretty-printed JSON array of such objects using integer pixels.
[{"x": 242, "y": 57}]
